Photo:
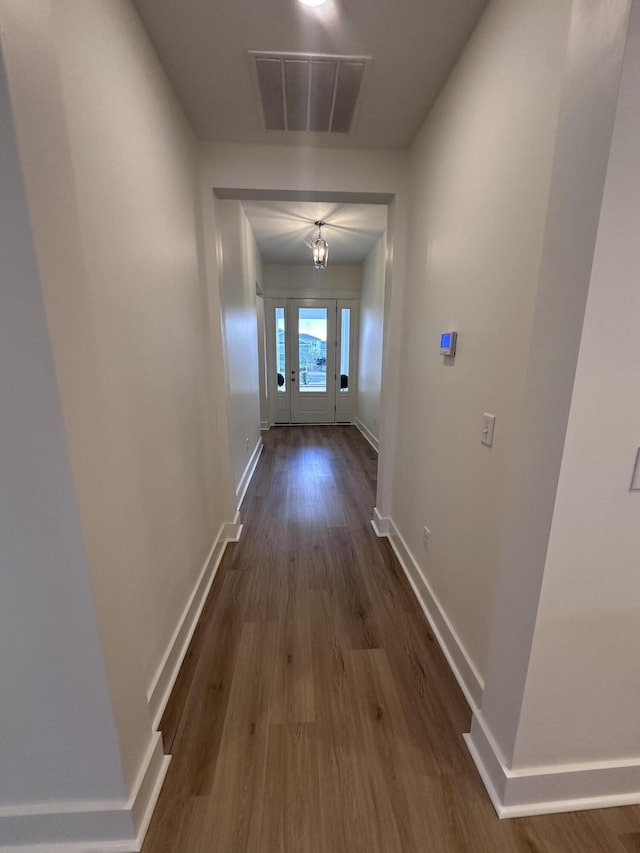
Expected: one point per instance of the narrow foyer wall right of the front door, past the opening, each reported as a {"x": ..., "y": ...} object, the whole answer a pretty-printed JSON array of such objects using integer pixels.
[{"x": 371, "y": 337}]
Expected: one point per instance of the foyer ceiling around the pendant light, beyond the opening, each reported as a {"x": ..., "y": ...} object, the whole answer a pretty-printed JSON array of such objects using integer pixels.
[{"x": 284, "y": 229}]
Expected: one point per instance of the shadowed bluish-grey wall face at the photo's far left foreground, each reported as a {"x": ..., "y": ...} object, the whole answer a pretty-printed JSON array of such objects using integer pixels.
[{"x": 56, "y": 727}]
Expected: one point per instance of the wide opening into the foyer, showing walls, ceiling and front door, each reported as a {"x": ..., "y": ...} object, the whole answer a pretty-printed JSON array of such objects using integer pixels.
[{"x": 323, "y": 358}]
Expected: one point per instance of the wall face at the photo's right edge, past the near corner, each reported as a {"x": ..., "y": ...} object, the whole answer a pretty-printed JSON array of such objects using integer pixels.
[{"x": 583, "y": 686}]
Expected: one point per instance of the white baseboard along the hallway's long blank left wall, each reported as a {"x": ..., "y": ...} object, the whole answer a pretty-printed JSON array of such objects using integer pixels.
[{"x": 162, "y": 684}]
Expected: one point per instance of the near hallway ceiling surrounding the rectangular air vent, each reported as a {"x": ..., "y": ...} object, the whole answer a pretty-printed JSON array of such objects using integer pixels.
[{"x": 203, "y": 46}]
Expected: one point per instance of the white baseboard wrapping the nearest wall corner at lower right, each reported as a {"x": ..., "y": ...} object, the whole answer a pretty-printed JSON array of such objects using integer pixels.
[{"x": 547, "y": 790}]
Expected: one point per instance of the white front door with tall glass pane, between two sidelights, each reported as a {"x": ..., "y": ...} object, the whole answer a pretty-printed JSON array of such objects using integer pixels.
[{"x": 312, "y": 353}]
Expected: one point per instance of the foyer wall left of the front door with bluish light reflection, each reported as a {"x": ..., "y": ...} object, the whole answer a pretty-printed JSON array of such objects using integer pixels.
[{"x": 240, "y": 269}]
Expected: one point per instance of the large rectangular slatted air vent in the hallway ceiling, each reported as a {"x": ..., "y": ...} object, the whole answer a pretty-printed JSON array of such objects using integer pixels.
[{"x": 304, "y": 92}]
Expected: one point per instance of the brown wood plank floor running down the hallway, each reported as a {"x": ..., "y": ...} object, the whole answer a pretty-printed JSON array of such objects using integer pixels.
[{"x": 314, "y": 710}]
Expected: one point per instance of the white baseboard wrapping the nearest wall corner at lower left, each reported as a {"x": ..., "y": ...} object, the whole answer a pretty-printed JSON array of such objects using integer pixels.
[{"x": 104, "y": 827}]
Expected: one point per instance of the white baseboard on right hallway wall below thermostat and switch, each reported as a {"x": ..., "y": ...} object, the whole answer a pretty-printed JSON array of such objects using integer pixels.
[{"x": 467, "y": 676}]
